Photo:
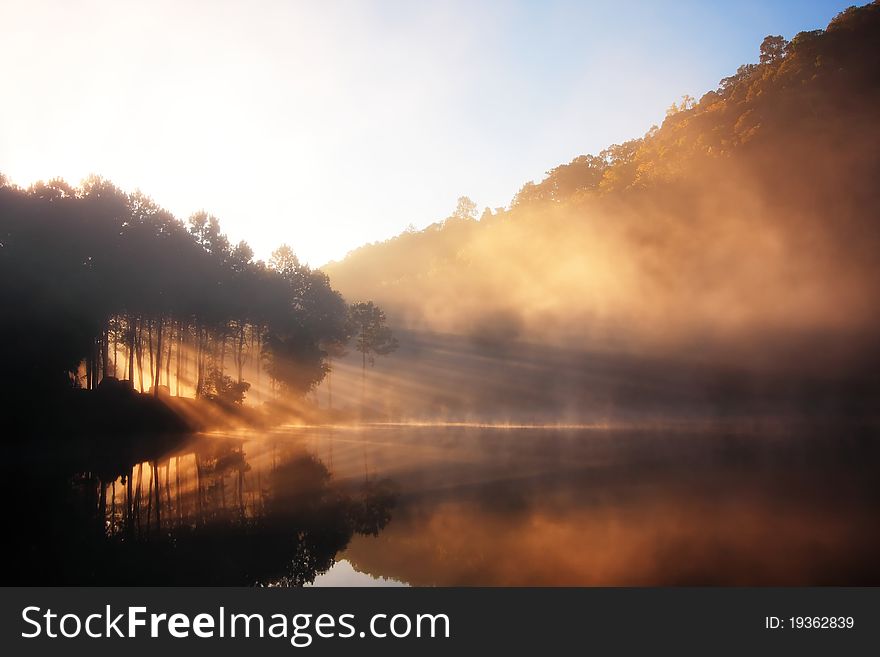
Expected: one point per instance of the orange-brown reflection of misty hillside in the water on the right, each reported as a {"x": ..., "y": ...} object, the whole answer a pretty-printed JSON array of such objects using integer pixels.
[{"x": 695, "y": 506}]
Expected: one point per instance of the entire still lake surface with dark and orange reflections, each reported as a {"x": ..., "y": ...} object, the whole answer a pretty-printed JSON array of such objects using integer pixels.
[{"x": 471, "y": 506}]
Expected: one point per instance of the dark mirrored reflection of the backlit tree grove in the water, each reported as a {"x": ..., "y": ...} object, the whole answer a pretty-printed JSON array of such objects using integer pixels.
[{"x": 210, "y": 513}]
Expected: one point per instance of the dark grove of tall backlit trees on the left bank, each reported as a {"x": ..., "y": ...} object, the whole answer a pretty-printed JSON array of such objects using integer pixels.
[{"x": 90, "y": 272}]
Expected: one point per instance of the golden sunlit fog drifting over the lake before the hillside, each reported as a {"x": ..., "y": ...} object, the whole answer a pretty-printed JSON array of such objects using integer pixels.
[{"x": 753, "y": 276}]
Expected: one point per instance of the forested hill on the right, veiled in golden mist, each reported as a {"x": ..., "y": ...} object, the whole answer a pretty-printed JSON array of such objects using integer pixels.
[{"x": 749, "y": 215}]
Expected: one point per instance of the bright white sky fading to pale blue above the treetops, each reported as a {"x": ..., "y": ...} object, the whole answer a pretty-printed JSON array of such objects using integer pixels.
[{"x": 327, "y": 125}]
